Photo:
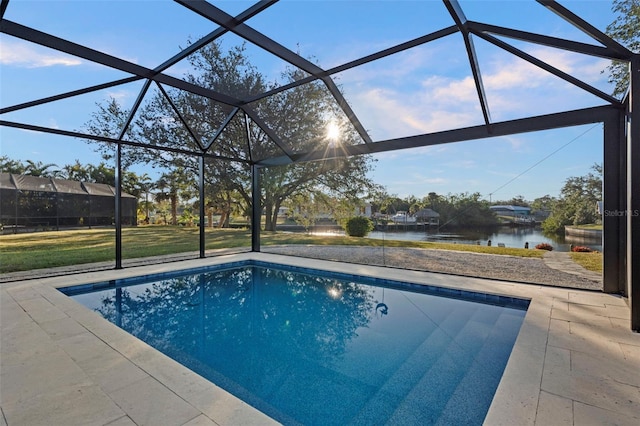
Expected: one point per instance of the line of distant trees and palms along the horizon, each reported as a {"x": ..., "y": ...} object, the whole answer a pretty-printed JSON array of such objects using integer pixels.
[{"x": 576, "y": 204}]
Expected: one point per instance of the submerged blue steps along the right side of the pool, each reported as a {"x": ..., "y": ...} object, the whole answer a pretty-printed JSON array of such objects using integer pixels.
[{"x": 431, "y": 387}]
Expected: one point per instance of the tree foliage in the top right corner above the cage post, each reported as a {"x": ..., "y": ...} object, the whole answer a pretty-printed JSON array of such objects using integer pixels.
[{"x": 626, "y": 30}]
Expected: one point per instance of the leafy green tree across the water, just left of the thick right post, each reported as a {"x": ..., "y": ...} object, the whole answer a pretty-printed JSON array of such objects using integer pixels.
[{"x": 577, "y": 202}]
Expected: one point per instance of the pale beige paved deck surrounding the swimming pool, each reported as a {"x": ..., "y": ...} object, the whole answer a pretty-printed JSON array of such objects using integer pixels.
[{"x": 575, "y": 360}]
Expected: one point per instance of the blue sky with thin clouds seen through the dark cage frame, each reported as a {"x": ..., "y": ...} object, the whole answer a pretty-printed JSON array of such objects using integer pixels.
[{"x": 424, "y": 90}]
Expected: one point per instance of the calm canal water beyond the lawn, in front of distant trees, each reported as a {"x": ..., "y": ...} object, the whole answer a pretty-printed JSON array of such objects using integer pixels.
[{"x": 509, "y": 236}]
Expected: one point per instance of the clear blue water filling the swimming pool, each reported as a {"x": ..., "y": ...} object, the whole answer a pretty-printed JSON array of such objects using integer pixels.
[{"x": 310, "y": 347}]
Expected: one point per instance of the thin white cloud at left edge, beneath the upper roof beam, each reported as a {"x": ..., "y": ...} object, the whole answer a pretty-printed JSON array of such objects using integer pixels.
[{"x": 32, "y": 56}]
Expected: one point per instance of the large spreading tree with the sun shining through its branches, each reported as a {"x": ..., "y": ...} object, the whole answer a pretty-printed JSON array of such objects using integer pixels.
[{"x": 298, "y": 116}]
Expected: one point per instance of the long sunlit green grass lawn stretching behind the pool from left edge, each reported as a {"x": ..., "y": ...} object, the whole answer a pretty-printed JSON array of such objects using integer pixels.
[{"x": 37, "y": 250}]
